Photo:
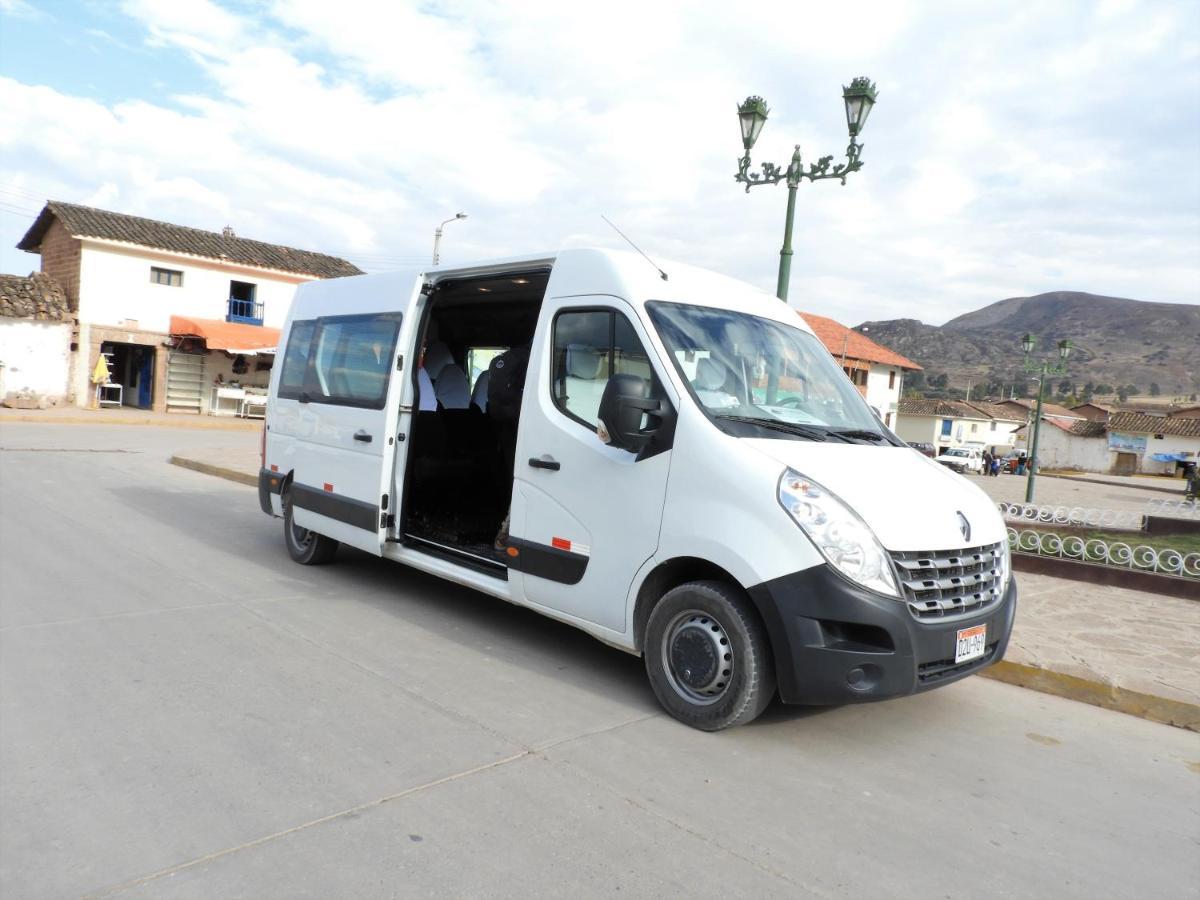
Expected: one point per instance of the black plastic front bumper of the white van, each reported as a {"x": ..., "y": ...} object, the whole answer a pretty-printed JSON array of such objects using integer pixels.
[{"x": 836, "y": 643}]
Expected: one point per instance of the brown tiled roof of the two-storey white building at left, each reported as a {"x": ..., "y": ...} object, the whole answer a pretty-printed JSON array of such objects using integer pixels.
[{"x": 88, "y": 223}]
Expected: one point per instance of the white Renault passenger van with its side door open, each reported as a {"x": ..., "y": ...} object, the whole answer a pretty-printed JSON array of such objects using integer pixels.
[{"x": 692, "y": 478}]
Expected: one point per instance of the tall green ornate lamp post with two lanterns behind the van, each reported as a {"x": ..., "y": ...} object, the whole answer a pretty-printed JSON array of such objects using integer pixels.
[{"x": 860, "y": 98}]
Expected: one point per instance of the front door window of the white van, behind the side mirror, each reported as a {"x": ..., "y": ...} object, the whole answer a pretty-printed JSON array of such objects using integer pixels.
[{"x": 591, "y": 346}]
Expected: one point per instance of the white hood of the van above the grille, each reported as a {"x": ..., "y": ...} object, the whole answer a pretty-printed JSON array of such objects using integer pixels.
[{"x": 908, "y": 500}]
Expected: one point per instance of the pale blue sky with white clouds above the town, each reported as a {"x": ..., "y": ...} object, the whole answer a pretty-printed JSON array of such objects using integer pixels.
[{"x": 1016, "y": 148}]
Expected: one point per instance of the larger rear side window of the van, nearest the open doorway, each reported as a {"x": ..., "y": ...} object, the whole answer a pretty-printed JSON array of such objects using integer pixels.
[{"x": 351, "y": 361}]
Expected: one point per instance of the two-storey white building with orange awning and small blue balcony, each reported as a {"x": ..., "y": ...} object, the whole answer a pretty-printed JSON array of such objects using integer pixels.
[{"x": 125, "y": 278}]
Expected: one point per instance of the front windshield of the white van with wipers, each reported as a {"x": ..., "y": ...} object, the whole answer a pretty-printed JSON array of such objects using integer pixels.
[{"x": 749, "y": 370}]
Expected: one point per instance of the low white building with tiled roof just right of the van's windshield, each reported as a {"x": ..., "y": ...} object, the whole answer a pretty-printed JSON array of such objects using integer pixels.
[{"x": 947, "y": 424}]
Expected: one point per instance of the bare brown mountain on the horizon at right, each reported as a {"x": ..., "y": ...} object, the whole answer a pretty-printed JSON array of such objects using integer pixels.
[{"x": 1115, "y": 341}]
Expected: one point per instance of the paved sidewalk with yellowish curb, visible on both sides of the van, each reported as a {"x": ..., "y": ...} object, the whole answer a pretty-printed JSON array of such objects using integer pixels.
[{"x": 1123, "y": 650}]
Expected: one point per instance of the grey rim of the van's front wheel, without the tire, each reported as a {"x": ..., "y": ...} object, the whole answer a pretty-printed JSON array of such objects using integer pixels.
[{"x": 698, "y": 658}]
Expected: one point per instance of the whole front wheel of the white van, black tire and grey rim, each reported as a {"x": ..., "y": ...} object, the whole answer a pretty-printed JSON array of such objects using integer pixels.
[{"x": 709, "y": 658}]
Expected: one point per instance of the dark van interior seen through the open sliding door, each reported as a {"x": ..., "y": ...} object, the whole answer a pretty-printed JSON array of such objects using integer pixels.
[{"x": 459, "y": 478}]
